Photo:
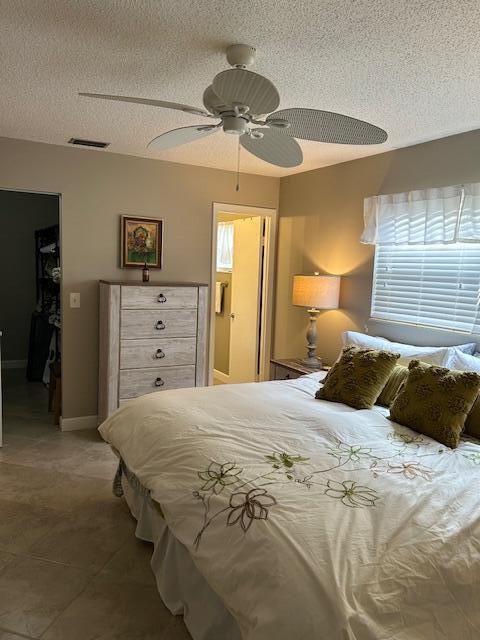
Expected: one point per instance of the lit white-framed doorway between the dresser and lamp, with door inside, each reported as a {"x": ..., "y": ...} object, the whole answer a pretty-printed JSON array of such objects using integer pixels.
[{"x": 242, "y": 282}]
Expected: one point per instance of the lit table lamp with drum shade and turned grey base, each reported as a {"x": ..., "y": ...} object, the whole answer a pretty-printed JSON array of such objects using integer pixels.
[{"x": 316, "y": 292}]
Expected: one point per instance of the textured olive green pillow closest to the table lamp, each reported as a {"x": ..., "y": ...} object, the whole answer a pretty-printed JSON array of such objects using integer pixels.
[{"x": 358, "y": 377}]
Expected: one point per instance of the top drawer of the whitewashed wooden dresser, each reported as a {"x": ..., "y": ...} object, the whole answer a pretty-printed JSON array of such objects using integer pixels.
[{"x": 159, "y": 297}]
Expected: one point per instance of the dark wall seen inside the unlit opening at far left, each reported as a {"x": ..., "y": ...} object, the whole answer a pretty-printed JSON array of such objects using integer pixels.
[{"x": 21, "y": 214}]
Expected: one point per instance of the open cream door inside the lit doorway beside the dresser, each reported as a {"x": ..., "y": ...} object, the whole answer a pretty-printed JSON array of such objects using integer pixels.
[{"x": 245, "y": 299}]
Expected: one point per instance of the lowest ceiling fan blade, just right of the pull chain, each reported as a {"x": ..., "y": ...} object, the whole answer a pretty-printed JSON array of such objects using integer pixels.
[{"x": 274, "y": 147}]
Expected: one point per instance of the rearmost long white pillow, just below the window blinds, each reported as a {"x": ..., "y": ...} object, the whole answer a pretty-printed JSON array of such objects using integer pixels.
[{"x": 431, "y": 355}]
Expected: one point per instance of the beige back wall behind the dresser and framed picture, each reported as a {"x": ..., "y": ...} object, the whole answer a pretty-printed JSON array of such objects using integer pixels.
[{"x": 97, "y": 187}]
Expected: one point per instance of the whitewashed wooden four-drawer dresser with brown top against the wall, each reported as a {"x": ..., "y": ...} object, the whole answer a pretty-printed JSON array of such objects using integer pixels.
[{"x": 152, "y": 337}]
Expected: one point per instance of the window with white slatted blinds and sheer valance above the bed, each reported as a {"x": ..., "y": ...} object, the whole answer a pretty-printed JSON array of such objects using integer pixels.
[{"x": 427, "y": 256}]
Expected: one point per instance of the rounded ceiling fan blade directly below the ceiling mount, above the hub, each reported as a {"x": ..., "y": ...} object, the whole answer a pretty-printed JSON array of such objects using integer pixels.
[{"x": 247, "y": 88}]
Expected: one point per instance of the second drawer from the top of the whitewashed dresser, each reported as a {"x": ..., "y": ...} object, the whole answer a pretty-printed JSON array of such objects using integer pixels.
[{"x": 164, "y": 323}]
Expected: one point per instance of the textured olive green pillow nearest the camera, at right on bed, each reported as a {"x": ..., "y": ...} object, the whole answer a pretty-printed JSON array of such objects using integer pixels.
[{"x": 435, "y": 401}]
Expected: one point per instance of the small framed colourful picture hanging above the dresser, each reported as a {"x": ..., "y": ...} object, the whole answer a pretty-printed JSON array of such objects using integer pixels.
[{"x": 141, "y": 242}]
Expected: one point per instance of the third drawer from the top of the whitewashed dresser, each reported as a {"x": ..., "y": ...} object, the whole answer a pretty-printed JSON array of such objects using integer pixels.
[{"x": 160, "y": 352}]
